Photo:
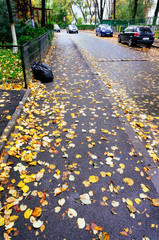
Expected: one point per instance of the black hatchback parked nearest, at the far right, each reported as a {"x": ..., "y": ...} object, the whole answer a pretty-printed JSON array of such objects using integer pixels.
[{"x": 137, "y": 35}]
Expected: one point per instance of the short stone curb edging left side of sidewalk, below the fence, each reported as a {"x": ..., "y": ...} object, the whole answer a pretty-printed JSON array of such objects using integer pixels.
[{"x": 11, "y": 124}]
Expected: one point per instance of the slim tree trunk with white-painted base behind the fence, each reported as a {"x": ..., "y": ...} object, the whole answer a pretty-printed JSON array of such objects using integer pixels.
[{"x": 15, "y": 49}]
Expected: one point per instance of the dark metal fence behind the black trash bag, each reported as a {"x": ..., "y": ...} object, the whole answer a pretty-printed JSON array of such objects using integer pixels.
[{"x": 34, "y": 50}]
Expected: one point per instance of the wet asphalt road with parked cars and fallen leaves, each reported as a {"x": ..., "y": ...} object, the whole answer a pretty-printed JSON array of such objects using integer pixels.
[{"x": 132, "y": 75}]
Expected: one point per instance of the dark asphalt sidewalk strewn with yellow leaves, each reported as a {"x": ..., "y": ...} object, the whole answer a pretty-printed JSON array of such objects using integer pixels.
[{"x": 73, "y": 172}]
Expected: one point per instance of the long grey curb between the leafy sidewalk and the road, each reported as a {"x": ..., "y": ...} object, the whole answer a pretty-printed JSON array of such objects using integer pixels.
[{"x": 138, "y": 145}]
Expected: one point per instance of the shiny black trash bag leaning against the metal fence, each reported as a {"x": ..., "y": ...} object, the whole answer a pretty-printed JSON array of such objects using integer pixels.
[{"x": 42, "y": 72}]
